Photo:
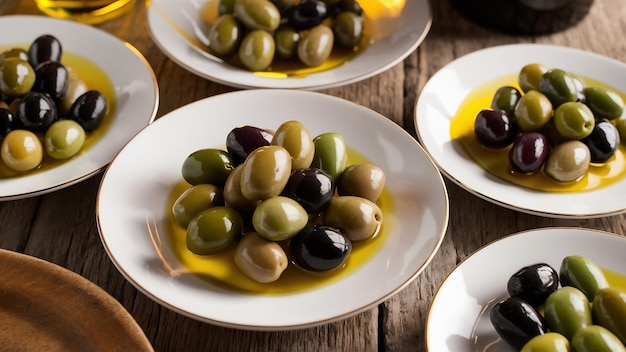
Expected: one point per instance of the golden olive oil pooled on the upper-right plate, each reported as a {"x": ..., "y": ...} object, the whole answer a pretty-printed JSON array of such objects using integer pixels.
[{"x": 496, "y": 161}]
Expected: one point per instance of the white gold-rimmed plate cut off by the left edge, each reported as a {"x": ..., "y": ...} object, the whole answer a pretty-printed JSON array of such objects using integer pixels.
[{"x": 136, "y": 92}]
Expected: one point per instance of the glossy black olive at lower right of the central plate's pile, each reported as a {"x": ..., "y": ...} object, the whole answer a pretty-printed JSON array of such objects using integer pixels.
[{"x": 319, "y": 248}]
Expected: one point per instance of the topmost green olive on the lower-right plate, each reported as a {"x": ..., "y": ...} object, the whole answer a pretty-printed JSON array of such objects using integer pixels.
[{"x": 583, "y": 274}]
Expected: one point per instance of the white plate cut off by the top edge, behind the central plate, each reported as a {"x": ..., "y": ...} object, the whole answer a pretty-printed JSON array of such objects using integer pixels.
[{"x": 403, "y": 32}]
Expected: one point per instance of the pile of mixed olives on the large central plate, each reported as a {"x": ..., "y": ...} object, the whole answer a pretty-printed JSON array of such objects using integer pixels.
[{"x": 279, "y": 197}]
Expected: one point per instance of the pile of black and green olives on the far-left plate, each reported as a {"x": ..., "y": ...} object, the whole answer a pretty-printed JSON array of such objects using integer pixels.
[{"x": 45, "y": 109}]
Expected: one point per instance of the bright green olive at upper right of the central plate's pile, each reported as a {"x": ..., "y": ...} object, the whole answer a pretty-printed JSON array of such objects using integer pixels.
[{"x": 331, "y": 154}]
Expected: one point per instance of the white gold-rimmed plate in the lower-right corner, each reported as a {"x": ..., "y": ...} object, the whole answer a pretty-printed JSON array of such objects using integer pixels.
[{"x": 458, "y": 320}]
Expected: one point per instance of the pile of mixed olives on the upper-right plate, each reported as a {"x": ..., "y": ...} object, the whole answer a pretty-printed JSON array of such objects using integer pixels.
[{"x": 556, "y": 124}]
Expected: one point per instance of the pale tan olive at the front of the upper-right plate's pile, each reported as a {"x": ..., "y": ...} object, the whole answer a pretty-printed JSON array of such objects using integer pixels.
[{"x": 568, "y": 161}]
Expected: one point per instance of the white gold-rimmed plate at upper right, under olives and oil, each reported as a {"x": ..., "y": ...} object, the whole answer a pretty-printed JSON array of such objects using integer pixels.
[{"x": 440, "y": 98}]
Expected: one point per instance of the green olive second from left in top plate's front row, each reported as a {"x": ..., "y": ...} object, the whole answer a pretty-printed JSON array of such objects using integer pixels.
[{"x": 256, "y": 51}]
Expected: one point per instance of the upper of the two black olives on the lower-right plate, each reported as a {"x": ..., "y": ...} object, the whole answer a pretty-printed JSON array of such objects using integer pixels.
[{"x": 533, "y": 283}]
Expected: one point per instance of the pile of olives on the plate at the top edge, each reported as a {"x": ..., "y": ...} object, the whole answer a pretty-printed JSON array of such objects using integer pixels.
[{"x": 255, "y": 32}]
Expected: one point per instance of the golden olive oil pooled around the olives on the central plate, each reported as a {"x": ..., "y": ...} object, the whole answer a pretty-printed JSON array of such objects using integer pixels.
[{"x": 220, "y": 269}]
